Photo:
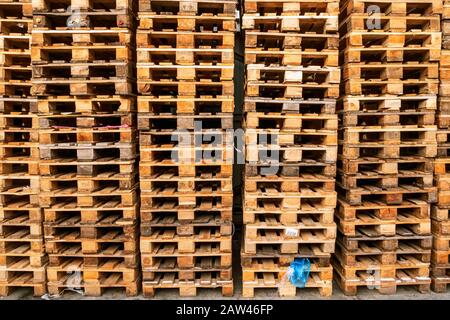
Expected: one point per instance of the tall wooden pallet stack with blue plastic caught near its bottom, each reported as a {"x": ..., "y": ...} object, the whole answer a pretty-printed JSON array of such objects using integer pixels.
[{"x": 292, "y": 83}]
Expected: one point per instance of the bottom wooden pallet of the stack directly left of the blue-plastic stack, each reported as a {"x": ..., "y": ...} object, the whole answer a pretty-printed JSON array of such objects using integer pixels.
[{"x": 187, "y": 288}]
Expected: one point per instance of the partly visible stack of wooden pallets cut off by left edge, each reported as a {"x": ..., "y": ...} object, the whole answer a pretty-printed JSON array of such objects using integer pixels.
[{"x": 22, "y": 256}]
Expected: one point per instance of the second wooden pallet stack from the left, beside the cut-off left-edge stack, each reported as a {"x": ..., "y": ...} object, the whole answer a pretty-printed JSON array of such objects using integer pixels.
[{"x": 82, "y": 56}]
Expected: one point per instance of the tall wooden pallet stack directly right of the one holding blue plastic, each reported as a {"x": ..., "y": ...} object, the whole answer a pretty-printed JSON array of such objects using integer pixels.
[{"x": 389, "y": 53}]
